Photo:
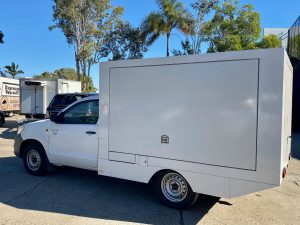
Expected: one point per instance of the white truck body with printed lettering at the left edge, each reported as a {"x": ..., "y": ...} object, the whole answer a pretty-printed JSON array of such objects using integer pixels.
[{"x": 9, "y": 95}]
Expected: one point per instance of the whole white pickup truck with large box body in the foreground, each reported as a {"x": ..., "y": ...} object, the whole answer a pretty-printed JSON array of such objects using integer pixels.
[{"x": 217, "y": 124}]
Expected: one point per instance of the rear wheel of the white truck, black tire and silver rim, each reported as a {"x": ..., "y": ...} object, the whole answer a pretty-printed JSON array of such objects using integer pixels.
[{"x": 174, "y": 191}]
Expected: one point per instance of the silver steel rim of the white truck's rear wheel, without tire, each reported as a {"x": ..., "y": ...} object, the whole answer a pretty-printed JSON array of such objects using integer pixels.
[{"x": 174, "y": 187}]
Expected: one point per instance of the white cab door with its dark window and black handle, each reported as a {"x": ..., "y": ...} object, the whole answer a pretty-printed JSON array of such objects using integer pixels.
[{"x": 73, "y": 137}]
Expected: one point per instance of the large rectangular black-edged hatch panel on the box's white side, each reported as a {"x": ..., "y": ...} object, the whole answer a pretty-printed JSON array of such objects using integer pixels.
[{"x": 208, "y": 111}]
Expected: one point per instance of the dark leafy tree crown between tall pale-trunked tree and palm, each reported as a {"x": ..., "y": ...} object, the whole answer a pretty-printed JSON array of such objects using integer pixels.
[{"x": 124, "y": 42}]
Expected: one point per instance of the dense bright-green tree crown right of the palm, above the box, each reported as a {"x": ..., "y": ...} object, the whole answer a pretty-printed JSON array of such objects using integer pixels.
[{"x": 232, "y": 27}]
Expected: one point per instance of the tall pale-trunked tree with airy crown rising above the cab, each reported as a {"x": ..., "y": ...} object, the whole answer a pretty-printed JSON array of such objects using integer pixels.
[{"x": 85, "y": 24}]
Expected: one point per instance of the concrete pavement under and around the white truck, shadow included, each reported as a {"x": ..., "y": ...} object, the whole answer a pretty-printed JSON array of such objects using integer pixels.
[{"x": 73, "y": 196}]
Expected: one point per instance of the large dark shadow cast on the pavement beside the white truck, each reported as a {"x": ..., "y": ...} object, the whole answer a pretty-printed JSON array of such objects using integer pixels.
[{"x": 83, "y": 193}]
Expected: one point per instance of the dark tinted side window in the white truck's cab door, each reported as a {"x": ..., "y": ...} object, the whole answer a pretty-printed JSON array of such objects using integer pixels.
[{"x": 82, "y": 113}]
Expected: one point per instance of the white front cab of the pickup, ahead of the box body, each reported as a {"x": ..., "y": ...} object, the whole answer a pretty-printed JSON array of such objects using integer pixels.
[{"x": 78, "y": 124}]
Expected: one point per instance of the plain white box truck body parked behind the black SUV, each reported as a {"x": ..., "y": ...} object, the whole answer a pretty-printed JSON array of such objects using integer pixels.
[{"x": 36, "y": 94}]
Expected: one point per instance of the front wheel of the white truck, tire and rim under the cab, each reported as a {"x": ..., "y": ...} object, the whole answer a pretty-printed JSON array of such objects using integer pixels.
[{"x": 35, "y": 159}]
